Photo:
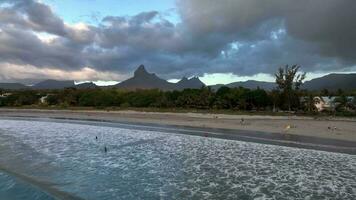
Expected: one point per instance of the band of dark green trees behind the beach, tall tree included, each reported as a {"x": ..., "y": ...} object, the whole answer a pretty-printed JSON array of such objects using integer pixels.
[{"x": 288, "y": 96}]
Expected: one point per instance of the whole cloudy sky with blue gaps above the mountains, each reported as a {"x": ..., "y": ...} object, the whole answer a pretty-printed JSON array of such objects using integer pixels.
[{"x": 219, "y": 41}]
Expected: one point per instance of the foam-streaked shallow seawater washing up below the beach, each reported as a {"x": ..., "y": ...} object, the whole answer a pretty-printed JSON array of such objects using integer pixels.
[{"x": 65, "y": 159}]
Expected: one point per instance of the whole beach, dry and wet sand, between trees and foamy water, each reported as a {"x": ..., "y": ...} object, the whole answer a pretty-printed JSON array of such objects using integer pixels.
[{"x": 303, "y": 132}]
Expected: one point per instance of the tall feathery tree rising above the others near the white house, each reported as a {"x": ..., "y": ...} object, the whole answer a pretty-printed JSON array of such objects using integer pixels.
[{"x": 289, "y": 82}]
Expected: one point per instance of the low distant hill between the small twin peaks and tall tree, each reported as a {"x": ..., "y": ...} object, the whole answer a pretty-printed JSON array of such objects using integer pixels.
[{"x": 250, "y": 84}]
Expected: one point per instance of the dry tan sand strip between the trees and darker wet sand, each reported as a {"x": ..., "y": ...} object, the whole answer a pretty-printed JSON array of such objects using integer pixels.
[{"x": 343, "y": 129}]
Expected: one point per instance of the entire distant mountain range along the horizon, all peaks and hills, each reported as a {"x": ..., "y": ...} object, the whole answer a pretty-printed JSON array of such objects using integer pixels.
[{"x": 145, "y": 80}]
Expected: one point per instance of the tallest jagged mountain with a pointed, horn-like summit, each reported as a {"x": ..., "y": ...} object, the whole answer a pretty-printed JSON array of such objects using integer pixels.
[{"x": 144, "y": 80}]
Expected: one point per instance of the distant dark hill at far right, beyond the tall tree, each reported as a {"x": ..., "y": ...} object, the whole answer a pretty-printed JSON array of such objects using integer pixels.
[{"x": 332, "y": 82}]
